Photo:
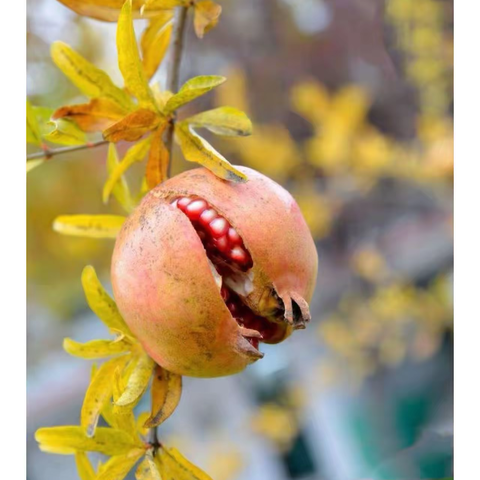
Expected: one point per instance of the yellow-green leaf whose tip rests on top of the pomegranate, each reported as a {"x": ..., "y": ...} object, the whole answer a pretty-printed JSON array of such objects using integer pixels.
[{"x": 197, "y": 149}]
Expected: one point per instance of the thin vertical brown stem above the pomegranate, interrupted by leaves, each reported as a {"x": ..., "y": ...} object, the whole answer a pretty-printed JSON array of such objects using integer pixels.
[{"x": 174, "y": 71}]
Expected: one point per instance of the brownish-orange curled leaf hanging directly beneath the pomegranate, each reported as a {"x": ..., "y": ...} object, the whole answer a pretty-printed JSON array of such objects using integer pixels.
[{"x": 166, "y": 392}]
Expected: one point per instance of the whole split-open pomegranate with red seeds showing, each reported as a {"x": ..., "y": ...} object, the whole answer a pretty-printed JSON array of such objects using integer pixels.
[{"x": 204, "y": 270}]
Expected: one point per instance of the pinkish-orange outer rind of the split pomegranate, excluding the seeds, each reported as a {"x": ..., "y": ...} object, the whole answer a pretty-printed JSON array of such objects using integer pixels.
[{"x": 163, "y": 283}]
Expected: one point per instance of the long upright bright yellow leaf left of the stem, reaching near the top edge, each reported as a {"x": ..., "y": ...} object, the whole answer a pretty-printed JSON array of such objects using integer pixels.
[{"x": 129, "y": 59}]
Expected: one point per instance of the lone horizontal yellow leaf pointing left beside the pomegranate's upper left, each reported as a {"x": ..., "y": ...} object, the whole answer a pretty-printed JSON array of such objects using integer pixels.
[{"x": 93, "y": 226}]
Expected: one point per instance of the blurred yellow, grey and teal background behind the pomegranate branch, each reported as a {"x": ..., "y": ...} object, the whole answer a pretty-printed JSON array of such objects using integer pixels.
[{"x": 353, "y": 113}]
